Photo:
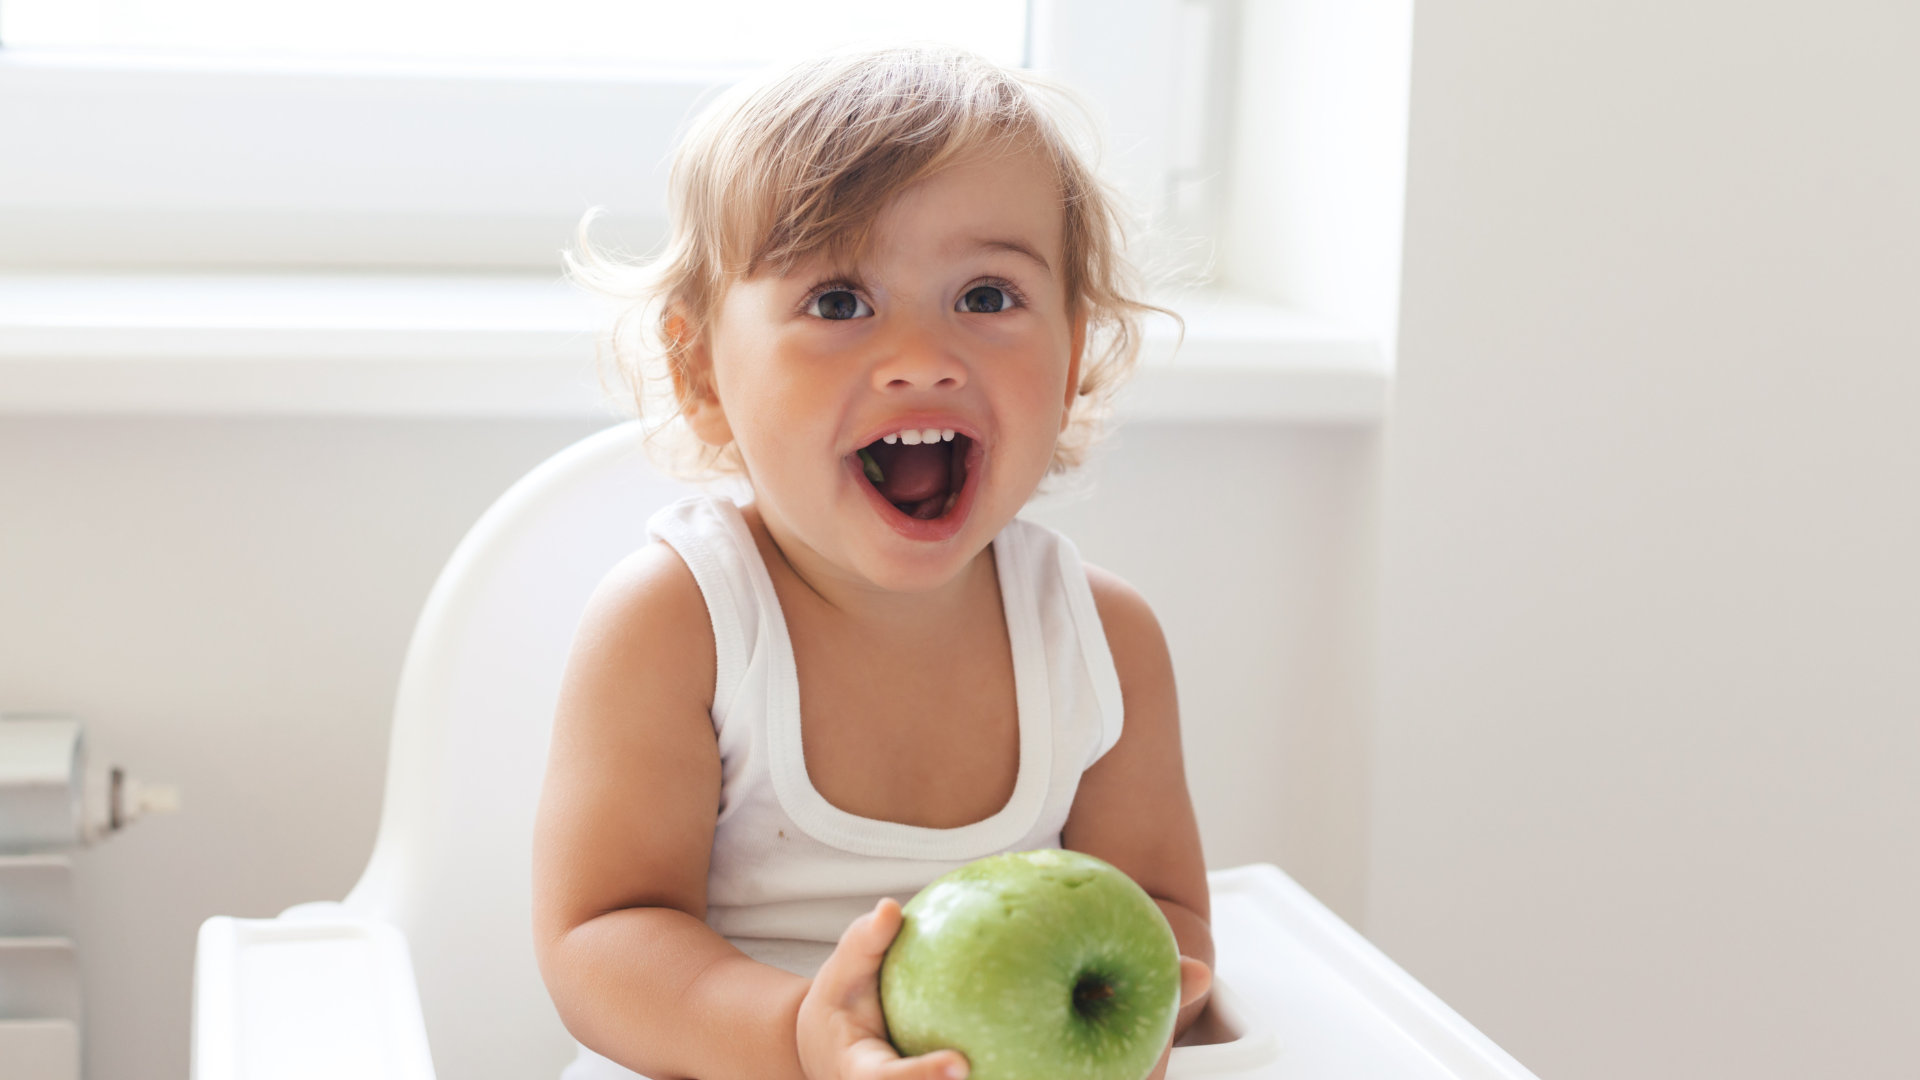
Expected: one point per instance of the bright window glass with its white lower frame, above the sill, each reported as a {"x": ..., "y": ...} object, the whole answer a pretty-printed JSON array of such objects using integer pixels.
[{"x": 379, "y": 134}]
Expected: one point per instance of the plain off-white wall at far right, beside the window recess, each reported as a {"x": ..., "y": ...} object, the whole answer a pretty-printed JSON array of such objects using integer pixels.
[{"x": 1648, "y": 781}]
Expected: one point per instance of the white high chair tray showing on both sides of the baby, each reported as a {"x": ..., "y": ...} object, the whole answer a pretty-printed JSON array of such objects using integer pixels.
[{"x": 1299, "y": 996}]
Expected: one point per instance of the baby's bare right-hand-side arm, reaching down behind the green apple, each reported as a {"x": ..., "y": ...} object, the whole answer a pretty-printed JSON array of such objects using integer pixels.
[{"x": 1132, "y": 808}]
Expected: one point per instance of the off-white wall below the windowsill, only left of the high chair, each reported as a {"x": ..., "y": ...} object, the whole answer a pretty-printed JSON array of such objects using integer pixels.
[{"x": 226, "y": 606}]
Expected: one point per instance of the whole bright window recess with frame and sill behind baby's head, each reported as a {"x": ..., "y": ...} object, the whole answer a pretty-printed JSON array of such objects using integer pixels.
[{"x": 379, "y": 153}]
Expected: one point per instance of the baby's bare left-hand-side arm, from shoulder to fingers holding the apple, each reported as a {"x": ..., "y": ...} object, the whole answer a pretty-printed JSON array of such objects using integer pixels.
[{"x": 621, "y": 852}]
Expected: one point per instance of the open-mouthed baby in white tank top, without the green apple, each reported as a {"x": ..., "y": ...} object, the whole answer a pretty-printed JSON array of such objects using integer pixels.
[{"x": 894, "y": 303}]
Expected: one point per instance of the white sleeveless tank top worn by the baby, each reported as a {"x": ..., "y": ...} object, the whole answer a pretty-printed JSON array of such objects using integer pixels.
[{"x": 790, "y": 870}]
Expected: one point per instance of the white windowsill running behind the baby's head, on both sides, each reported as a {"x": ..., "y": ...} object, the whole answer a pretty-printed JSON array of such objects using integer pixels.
[{"x": 506, "y": 345}]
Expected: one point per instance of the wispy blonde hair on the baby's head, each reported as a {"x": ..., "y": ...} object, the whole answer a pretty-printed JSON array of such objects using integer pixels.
[{"x": 800, "y": 166}]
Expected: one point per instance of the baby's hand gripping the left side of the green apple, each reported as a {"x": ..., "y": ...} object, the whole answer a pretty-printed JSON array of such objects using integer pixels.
[{"x": 842, "y": 1031}]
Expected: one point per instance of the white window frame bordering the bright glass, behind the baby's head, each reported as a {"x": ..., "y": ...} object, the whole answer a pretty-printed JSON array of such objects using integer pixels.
[{"x": 214, "y": 160}]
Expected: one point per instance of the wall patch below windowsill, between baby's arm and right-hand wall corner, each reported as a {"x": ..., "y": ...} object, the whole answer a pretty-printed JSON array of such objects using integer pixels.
[{"x": 1255, "y": 543}]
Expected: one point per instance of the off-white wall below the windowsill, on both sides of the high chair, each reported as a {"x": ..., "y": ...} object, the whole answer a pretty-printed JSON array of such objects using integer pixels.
[{"x": 228, "y": 602}]
